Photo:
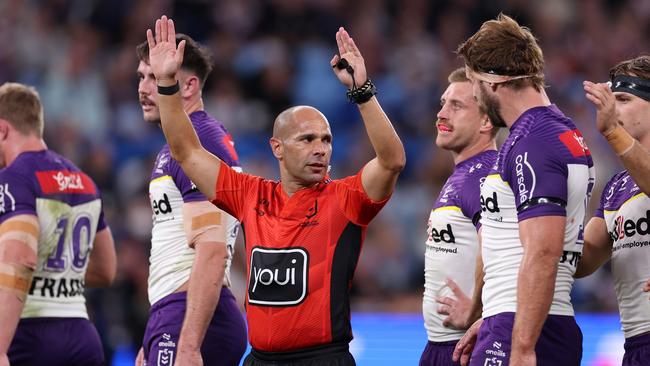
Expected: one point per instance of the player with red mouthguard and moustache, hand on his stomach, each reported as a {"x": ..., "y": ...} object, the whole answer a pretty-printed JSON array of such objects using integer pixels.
[{"x": 453, "y": 244}]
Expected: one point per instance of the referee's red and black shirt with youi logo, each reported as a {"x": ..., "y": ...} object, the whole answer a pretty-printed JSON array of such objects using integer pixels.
[{"x": 301, "y": 253}]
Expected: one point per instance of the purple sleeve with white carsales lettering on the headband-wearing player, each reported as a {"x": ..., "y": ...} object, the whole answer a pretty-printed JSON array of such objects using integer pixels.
[{"x": 538, "y": 177}]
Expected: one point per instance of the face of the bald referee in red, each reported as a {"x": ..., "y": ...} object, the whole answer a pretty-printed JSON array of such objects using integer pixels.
[{"x": 307, "y": 148}]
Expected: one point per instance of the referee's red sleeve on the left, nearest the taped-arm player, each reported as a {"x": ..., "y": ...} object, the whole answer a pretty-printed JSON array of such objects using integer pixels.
[{"x": 233, "y": 190}]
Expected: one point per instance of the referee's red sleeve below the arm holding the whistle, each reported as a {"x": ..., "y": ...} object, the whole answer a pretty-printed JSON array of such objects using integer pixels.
[{"x": 355, "y": 203}]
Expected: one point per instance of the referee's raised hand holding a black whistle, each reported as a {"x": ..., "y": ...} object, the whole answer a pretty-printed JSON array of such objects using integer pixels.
[{"x": 349, "y": 51}]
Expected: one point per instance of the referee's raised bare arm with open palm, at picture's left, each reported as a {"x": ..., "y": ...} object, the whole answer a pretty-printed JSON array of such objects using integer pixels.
[{"x": 165, "y": 59}]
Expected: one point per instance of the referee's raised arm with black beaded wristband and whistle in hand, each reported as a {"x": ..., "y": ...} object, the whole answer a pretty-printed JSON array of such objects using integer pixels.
[{"x": 380, "y": 174}]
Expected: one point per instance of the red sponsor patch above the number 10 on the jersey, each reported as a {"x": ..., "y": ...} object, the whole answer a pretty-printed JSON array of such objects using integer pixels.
[{"x": 65, "y": 181}]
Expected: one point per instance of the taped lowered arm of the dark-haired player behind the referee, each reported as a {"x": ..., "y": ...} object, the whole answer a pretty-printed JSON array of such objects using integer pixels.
[{"x": 205, "y": 228}]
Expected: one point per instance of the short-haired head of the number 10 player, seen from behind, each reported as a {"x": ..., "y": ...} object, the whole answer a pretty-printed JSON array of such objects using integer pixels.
[{"x": 21, "y": 106}]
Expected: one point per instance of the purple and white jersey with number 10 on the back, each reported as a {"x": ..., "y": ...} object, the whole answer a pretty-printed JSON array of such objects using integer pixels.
[{"x": 69, "y": 210}]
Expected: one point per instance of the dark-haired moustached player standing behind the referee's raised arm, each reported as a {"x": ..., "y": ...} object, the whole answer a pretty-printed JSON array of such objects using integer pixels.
[{"x": 194, "y": 317}]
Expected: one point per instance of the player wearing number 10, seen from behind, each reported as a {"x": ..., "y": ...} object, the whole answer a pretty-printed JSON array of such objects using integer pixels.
[{"x": 53, "y": 243}]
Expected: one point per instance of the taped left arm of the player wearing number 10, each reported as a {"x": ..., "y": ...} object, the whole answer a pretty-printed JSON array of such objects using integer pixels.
[{"x": 18, "y": 246}]
